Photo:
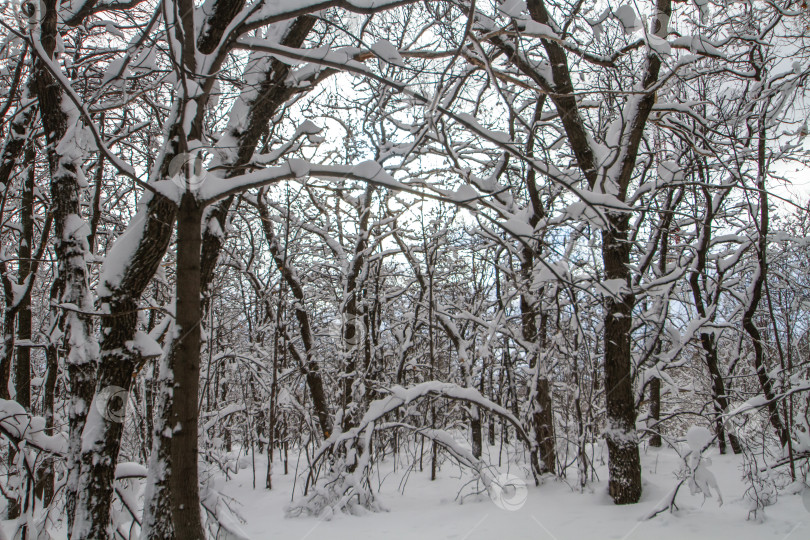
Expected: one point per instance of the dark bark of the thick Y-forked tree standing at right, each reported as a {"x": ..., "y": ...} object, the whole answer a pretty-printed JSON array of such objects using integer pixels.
[{"x": 624, "y": 467}]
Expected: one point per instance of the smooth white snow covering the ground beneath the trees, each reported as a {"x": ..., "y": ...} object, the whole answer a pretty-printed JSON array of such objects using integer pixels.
[{"x": 432, "y": 509}]
